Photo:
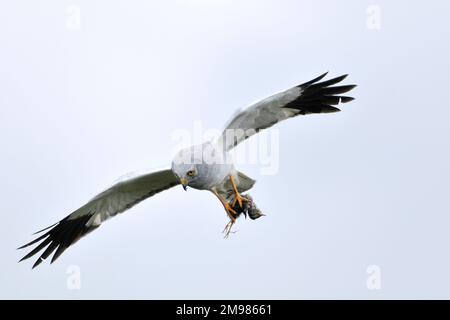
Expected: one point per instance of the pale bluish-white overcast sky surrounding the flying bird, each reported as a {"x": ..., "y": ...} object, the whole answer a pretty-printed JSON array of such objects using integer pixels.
[{"x": 91, "y": 90}]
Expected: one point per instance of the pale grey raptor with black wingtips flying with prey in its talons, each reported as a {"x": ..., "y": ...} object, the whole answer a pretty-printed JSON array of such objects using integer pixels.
[{"x": 204, "y": 167}]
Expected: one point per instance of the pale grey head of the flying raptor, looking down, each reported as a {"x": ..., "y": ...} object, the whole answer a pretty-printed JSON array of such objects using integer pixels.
[{"x": 184, "y": 167}]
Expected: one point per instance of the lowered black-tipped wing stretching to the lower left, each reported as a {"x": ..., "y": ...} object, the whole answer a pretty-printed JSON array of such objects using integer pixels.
[{"x": 118, "y": 198}]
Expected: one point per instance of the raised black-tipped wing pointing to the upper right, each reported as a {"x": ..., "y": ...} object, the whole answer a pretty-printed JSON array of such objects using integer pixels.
[{"x": 307, "y": 98}]
